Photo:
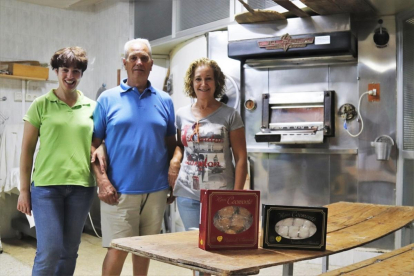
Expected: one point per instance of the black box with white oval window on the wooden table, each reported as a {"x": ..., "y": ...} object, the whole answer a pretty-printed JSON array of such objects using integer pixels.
[{"x": 294, "y": 227}]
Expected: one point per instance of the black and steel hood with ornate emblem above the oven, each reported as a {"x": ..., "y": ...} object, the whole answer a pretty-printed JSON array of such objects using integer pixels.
[{"x": 295, "y": 41}]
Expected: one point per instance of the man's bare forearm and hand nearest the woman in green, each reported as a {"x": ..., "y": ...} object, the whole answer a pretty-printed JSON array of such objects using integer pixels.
[{"x": 106, "y": 191}]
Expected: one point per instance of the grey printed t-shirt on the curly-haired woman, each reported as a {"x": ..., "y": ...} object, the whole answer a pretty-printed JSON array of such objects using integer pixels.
[{"x": 207, "y": 161}]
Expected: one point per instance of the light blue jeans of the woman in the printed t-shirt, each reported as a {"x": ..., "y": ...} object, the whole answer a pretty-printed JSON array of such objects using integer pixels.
[{"x": 189, "y": 212}]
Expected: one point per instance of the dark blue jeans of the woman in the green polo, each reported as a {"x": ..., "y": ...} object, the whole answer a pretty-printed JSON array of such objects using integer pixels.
[{"x": 59, "y": 213}]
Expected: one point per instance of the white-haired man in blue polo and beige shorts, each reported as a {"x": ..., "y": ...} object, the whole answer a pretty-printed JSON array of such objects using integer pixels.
[{"x": 137, "y": 123}]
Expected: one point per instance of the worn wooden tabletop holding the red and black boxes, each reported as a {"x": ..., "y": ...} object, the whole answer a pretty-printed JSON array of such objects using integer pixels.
[{"x": 350, "y": 225}]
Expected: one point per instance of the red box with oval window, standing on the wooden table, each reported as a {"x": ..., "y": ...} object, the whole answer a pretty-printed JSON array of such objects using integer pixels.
[{"x": 229, "y": 219}]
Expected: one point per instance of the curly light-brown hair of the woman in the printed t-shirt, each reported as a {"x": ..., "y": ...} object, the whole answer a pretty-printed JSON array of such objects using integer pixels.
[{"x": 219, "y": 77}]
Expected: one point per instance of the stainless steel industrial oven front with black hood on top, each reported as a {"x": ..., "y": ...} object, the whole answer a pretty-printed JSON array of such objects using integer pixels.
[{"x": 295, "y": 77}]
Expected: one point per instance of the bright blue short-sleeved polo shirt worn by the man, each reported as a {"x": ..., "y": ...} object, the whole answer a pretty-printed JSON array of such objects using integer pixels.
[{"x": 134, "y": 127}]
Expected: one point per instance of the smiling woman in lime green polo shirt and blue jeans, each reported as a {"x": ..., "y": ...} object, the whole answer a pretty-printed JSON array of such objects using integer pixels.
[{"x": 62, "y": 186}]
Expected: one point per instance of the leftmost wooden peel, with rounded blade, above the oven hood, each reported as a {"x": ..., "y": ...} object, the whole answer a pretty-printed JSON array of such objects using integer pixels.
[{"x": 255, "y": 16}]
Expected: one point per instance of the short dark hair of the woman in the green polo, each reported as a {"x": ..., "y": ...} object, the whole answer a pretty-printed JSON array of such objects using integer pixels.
[{"x": 70, "y": 56}]
